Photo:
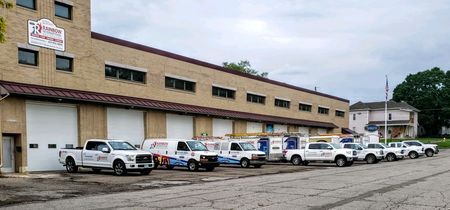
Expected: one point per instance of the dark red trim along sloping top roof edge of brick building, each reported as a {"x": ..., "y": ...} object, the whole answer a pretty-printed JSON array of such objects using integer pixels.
[{"x": 144, "y": 48}]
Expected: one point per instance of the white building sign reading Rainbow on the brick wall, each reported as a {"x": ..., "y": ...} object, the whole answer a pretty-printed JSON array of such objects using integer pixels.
[{"x": 44, "y": 33}]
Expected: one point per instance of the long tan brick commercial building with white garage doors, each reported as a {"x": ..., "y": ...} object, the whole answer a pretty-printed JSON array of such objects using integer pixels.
[{"x": 64, "y": 84}]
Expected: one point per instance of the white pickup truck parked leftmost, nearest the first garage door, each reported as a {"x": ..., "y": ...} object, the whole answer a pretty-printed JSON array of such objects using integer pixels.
[{"x": 99, "y": 154}]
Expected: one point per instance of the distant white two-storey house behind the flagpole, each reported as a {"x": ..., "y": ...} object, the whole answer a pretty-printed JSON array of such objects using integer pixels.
[{"x": 402, "y": 118}]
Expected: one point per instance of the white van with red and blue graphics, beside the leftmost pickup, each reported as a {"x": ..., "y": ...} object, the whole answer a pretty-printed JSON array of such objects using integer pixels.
[{"x": 180, "y": 152}]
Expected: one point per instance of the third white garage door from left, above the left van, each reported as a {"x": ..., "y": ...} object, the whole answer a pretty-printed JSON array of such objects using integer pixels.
[{"x": 179, "y": 126}]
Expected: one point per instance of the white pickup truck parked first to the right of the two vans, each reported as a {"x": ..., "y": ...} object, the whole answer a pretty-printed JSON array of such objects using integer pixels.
[{"x": 321, "y": 152}]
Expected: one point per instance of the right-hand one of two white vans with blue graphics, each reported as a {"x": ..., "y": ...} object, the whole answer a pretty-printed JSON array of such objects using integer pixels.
[{"x": 237, "y": 153}]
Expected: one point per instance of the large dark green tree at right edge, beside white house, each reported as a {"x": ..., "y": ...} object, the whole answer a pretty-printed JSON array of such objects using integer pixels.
[{"x": 426, "y": 91}]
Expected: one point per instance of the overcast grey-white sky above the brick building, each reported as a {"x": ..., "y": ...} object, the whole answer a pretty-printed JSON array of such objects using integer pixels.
[{"x": 345, "y": 48}]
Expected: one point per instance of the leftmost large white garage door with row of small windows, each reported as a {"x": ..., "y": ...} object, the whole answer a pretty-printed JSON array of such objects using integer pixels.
[{"x": 49, "y": 128}]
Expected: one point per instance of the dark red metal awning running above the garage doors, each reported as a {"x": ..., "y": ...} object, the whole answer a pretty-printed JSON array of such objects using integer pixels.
[{"x": 38, "y": 91}]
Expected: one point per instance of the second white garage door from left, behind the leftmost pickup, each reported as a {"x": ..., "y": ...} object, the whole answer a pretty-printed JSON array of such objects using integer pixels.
[{"x": 126, "y": 125}]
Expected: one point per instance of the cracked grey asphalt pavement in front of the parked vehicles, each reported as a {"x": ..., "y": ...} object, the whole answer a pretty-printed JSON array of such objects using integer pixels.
[{"x": 422, "y": 183}]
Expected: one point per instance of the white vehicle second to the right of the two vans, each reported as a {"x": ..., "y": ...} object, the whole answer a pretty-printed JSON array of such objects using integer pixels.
[{"x": 371, "y": 156}]
